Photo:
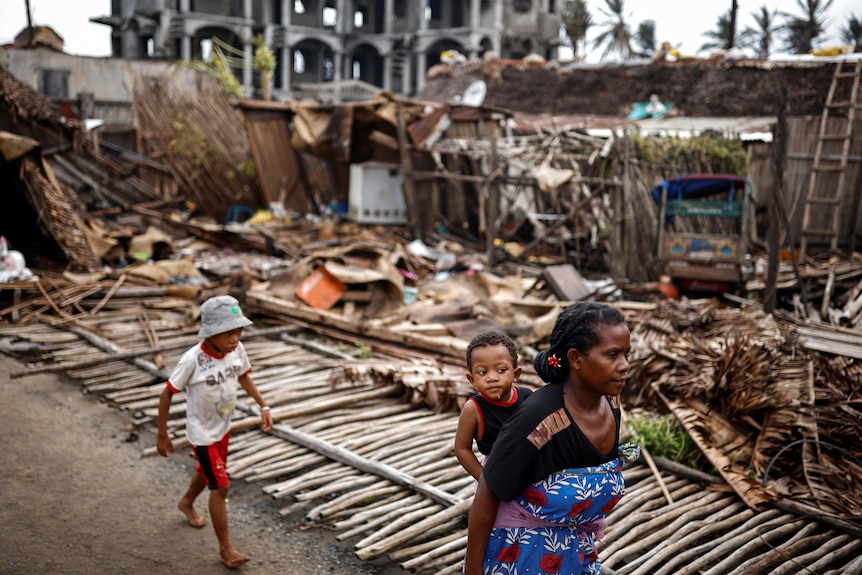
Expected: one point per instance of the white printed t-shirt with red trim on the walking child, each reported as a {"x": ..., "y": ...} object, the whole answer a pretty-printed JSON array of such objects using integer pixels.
[{"x": 211, "y": 383}]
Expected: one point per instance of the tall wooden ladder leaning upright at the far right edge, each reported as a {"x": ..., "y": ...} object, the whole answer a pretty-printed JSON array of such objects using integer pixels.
[{"x": 828, "y": 178}]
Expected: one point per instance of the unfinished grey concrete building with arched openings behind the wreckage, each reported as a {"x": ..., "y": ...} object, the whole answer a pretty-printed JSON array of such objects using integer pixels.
[{"x": 387, "y": 43}]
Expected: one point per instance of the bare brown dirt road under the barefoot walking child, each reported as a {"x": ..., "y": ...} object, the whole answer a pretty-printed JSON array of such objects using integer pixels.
[{"x": 77, "y": 498}]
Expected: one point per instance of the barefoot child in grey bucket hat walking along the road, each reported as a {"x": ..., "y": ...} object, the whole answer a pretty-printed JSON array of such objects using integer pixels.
[{"x": 210, "y": 373}]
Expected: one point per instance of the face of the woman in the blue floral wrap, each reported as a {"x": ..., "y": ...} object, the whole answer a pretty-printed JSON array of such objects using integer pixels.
[{"x": 606, "y": 365}]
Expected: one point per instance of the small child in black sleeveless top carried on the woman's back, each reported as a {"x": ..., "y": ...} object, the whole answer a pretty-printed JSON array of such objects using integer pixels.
[{"x": 492, "y": 368}]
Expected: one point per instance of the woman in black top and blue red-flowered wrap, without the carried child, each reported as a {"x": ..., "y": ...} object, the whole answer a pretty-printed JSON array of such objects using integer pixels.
[{"x": 555, "y": 470}]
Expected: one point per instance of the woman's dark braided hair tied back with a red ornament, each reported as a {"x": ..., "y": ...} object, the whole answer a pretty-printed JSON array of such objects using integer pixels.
[{"x": 576, "y": 327}]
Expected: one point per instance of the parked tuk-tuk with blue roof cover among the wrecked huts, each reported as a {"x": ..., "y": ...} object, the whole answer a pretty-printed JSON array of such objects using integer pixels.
[{"x": 703, "y": 235}]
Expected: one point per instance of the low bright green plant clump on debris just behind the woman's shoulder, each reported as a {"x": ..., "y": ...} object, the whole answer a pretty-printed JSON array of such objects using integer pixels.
[{"x": 663, "y": 436}]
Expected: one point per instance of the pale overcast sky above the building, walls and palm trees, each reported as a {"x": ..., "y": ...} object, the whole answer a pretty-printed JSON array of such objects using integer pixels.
[{"x": 680, "y": 22}]
